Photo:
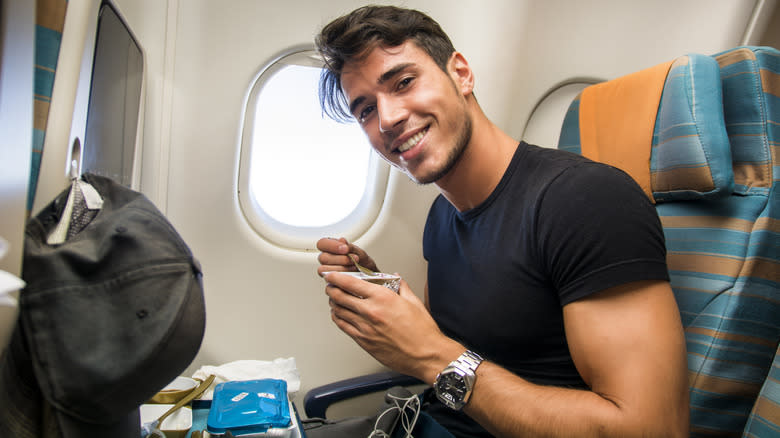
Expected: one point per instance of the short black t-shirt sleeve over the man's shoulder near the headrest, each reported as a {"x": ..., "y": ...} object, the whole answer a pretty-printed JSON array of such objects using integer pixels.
[{"x": 597, "y": 229}]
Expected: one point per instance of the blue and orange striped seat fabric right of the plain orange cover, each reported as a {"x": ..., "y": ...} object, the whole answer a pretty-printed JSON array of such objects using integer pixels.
[{"x": 714, "y": 173}]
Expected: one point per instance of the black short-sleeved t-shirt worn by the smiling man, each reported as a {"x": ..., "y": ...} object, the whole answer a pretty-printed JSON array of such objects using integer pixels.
[{"x": 558, "y": 227}]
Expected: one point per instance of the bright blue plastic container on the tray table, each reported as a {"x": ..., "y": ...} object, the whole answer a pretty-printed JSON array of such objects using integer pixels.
[{"x": 249, "y": 407}]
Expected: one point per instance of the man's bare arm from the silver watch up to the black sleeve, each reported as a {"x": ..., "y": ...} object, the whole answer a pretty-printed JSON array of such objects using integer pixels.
[{"x": 628, "y": 345}]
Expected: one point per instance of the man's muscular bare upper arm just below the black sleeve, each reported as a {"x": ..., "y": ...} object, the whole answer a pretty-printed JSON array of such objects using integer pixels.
[{"x": 628, "y": 345}]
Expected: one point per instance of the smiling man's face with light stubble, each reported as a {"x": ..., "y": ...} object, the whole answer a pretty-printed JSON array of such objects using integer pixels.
[{"x": 414, "y": 114}]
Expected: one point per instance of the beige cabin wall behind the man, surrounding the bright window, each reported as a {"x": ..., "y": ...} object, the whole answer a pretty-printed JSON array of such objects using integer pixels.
[{"x": 265, "y": 302}]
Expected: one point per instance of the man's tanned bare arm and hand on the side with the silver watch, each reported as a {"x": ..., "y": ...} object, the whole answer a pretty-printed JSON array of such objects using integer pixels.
[{"x": 626, "y": 342}]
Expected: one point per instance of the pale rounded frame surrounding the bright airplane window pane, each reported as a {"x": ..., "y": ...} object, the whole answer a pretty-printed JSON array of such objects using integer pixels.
[{"x": 301, "y": 238}]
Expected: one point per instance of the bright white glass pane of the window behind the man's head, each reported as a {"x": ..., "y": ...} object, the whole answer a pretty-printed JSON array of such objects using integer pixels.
[{"x": 296, "y": 150}]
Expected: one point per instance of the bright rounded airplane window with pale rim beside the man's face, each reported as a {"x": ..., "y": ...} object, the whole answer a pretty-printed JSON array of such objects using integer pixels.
[{"x": 302, "y": 175}]
